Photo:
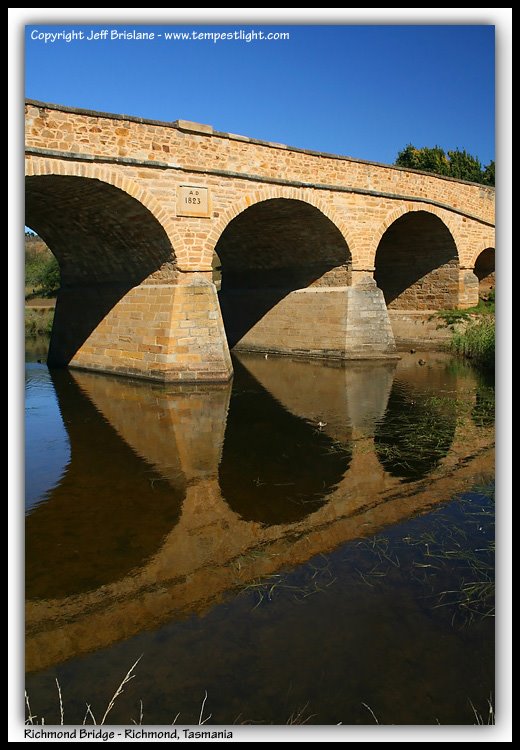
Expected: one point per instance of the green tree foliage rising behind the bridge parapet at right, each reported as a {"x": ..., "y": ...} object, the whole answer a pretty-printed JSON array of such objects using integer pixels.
[{"x": 457, "y": 163}]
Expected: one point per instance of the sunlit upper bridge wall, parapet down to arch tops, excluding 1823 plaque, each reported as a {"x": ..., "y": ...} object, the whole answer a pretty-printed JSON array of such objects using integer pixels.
[{"x": 151, "y": 160}]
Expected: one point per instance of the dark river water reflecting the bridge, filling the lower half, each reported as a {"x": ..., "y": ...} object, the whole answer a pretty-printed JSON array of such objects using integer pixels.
[{"x": 302, "y": 544}]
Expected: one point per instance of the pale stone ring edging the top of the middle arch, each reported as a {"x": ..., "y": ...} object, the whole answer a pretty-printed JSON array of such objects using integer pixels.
[{"x": 279, "y": 192}]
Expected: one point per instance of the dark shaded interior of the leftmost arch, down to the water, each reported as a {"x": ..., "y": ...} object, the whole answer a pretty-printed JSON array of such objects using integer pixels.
[{"x": 106, "y": 243}]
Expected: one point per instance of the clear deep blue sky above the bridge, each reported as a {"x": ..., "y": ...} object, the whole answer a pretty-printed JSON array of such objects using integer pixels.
[{"x": 363, "y": 91}]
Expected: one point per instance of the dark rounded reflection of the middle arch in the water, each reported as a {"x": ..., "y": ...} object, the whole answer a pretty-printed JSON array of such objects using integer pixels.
[{"x": 276, "y": 468}]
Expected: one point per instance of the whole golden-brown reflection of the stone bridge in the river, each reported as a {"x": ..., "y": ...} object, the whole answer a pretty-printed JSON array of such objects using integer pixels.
[{"x": 173, "y": 497}]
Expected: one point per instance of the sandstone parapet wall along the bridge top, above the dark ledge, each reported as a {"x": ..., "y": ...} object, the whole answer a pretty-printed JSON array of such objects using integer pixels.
[{"x": 193, "y": 145}]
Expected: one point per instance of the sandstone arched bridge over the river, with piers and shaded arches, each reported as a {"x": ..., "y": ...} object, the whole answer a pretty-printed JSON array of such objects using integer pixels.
[{"x": 309, "y": 250}]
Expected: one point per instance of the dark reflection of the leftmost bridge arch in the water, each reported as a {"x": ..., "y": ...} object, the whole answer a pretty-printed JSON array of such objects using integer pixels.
[{"x": 107, "y": 514}]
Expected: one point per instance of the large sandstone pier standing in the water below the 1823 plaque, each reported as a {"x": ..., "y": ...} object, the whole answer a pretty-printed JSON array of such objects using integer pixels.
[{"x": 160, "y": 332}]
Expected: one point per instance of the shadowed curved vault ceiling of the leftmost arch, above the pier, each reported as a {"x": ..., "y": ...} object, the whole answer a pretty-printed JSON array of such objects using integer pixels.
[{"x": 97, "y": 230}]
